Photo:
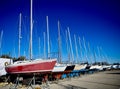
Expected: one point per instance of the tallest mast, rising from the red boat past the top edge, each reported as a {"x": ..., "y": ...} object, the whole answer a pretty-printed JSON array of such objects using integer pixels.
[{"x": 31, "y": 28}]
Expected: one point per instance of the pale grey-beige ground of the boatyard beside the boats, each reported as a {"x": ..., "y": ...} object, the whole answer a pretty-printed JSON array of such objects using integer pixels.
[{"x": 99, "y": 80}]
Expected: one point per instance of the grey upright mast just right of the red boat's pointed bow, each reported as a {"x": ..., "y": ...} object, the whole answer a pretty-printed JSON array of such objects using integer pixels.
[{"x": 59, "y": 43}]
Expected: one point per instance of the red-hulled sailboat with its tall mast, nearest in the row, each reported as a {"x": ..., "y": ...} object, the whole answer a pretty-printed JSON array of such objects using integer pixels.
[{"x": 31, "y": 66}]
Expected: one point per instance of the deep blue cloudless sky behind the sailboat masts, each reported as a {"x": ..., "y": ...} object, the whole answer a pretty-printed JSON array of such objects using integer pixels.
[{"x": 97, "y": 20}]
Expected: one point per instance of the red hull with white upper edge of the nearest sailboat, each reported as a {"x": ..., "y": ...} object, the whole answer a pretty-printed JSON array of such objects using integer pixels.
[{"x": 40, "y": 66}]
